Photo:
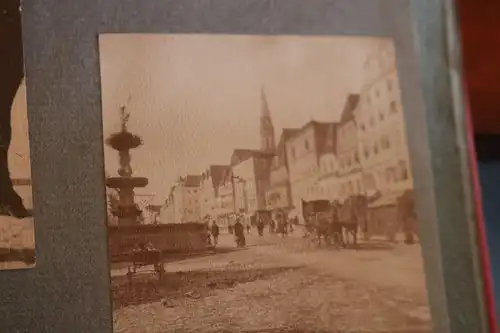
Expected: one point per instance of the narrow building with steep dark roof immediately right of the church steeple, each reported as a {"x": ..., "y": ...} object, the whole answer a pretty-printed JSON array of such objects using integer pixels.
[{"x": 279, "y": 194}]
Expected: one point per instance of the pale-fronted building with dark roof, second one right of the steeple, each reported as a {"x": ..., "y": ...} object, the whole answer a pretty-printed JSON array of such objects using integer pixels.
[{"x": 303, "y": 152}]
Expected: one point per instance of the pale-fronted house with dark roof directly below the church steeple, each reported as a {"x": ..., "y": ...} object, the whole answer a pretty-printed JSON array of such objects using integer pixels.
[{"x": 251, "y": 170}]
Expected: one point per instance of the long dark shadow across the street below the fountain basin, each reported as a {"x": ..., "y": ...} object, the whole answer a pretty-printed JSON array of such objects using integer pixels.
[{"x": 145, "y": 287}]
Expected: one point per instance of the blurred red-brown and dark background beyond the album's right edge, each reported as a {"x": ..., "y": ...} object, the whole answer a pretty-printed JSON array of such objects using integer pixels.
[{"x": 480, "y": 30}]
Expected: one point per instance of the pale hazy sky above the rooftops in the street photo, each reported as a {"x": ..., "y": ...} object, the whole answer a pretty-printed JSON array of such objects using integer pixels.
[{"x": 195, "y": 98}]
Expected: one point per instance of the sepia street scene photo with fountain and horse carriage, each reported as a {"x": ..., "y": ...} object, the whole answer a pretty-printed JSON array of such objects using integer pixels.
[{"x": 259, "y": 184}]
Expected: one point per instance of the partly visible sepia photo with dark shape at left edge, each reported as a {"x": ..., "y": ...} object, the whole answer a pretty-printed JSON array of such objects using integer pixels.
[{"x": 17, "y": 243}]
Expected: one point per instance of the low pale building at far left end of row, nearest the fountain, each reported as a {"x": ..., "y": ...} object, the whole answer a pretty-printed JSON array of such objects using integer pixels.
[{"x": 183, "y": 203}]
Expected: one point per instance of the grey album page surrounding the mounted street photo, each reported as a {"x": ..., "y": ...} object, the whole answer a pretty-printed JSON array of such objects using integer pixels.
[{"x": 69, "y": 290}]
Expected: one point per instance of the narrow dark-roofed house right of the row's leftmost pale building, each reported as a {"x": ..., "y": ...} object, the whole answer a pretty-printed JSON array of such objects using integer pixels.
[{"x": 209, "y": 187}]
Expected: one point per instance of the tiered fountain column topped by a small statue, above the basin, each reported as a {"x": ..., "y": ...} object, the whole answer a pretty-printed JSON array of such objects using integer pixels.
[{"x": 126, "y": 210}]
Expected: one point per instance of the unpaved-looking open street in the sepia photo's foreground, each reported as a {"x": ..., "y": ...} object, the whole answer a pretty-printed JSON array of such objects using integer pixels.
[{"x": 280, "y": 285}]
